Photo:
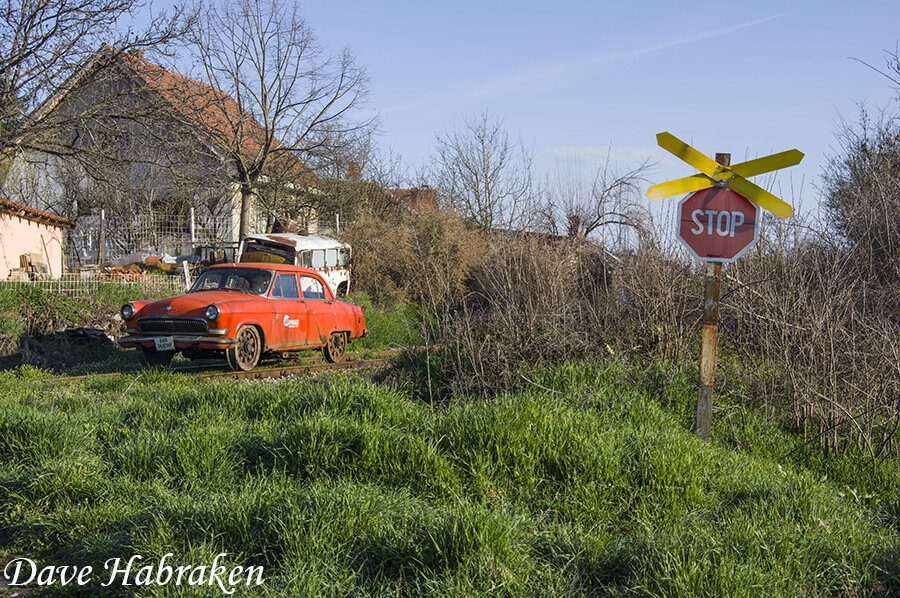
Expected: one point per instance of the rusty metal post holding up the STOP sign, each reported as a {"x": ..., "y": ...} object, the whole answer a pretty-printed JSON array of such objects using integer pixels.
[{"x": 709, "y": 336}]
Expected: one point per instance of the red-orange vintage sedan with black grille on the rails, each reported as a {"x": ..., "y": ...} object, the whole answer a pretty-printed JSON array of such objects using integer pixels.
[{"x": 244, "y": 311}]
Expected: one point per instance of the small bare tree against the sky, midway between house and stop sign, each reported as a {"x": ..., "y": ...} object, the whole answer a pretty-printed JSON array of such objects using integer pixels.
[{"x": 483, "y": 175}]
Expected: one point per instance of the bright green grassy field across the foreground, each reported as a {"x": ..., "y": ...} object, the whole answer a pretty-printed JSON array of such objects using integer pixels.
[{"x": 588, "y": 484}]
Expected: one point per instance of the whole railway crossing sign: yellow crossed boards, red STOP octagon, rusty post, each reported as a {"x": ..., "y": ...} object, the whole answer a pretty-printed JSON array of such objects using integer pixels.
[{"x": 717, "y": 224}]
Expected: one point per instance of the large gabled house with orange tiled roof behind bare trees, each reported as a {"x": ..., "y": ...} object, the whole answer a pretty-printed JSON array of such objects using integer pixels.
[{"x": 158, "y": 152}]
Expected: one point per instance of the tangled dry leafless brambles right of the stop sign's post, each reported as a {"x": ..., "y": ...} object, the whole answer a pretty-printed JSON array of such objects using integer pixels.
[{"x": 825, "y": 329}]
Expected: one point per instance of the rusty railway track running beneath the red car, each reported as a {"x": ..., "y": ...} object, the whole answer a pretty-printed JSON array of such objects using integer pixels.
[{"x": 307, "y": 365}]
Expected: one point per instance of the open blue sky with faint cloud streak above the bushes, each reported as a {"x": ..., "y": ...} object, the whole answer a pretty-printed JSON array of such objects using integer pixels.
[{"x": 576, "y": 78}]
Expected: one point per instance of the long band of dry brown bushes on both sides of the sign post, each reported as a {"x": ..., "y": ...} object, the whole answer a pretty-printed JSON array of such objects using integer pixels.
[{"x": 810, "y": 332}]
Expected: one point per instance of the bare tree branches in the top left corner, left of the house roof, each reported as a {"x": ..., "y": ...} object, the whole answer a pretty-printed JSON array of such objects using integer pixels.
[{"x": 43, "y": 43}]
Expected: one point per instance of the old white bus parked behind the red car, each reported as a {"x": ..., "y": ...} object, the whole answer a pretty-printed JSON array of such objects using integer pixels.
[{"x": 328, "y": 256}]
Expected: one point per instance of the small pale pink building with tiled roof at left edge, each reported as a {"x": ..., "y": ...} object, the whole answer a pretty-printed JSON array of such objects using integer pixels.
[{"x": 31, "y": 237}]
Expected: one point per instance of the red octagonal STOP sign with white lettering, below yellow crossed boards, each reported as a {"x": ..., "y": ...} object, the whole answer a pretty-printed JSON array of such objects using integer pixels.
[{"x": 717, "y": 224}]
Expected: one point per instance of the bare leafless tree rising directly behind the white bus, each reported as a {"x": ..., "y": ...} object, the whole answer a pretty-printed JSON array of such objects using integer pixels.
[{"x": 292, "y": 99}]
